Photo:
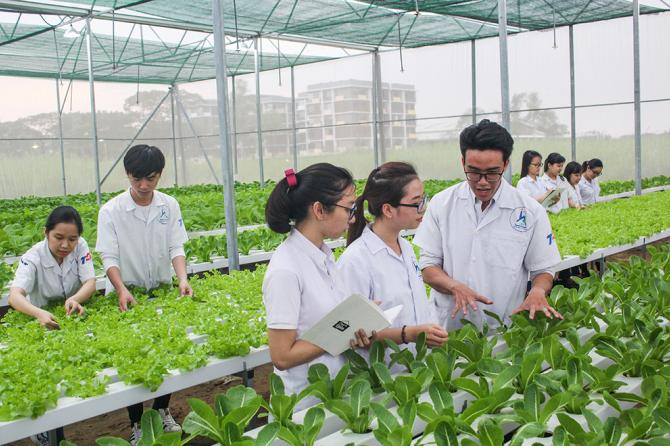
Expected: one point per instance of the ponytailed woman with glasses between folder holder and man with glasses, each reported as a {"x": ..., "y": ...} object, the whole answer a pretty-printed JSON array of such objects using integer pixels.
[{"x": 379, "y": 264}]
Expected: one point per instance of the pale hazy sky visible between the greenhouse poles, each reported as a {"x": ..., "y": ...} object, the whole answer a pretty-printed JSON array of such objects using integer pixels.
[{"x": 442, "y": 77}]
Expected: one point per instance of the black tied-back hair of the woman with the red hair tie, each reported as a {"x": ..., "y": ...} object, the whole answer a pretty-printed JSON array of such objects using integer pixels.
[{"x": 320, "y": 182}]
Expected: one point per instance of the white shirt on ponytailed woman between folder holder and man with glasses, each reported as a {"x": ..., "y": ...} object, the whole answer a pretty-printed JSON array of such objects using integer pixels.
[{"x": 372, "y": 269}]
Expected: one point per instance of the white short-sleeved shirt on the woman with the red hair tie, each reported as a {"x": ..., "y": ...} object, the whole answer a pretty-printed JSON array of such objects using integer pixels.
[{"x": 299, "y": 288}]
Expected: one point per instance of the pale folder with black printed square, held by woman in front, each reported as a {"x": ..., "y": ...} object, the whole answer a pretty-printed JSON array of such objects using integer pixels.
[{"x": 336, "y": 329}]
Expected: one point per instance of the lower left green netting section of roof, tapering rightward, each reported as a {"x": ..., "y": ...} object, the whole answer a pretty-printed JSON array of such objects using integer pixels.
[{"x": 51, "y": 54}]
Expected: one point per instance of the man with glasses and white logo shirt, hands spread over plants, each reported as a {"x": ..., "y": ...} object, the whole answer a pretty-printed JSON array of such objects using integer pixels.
[{"x": 482, "y": 240}]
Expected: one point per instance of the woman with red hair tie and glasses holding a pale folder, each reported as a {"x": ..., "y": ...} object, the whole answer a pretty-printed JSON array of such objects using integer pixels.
[{"x": 300, "y": 285}]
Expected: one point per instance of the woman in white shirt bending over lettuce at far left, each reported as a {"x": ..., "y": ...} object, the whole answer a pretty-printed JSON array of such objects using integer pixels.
[{"x": 59, "y": 267}]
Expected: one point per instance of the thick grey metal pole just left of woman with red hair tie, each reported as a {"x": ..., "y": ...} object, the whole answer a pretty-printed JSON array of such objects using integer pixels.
[{"x": 224, "y": 135}]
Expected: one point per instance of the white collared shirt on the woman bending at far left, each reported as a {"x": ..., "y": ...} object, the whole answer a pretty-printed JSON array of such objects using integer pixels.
[{"x": 43, "y": 279}]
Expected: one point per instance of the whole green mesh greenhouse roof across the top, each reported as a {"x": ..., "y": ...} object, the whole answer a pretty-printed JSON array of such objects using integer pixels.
[{"x": 37, "y": 49}]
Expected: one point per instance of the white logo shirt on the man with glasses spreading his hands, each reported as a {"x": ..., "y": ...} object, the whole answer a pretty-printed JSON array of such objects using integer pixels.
[{"x": 494, "y": 256}]
